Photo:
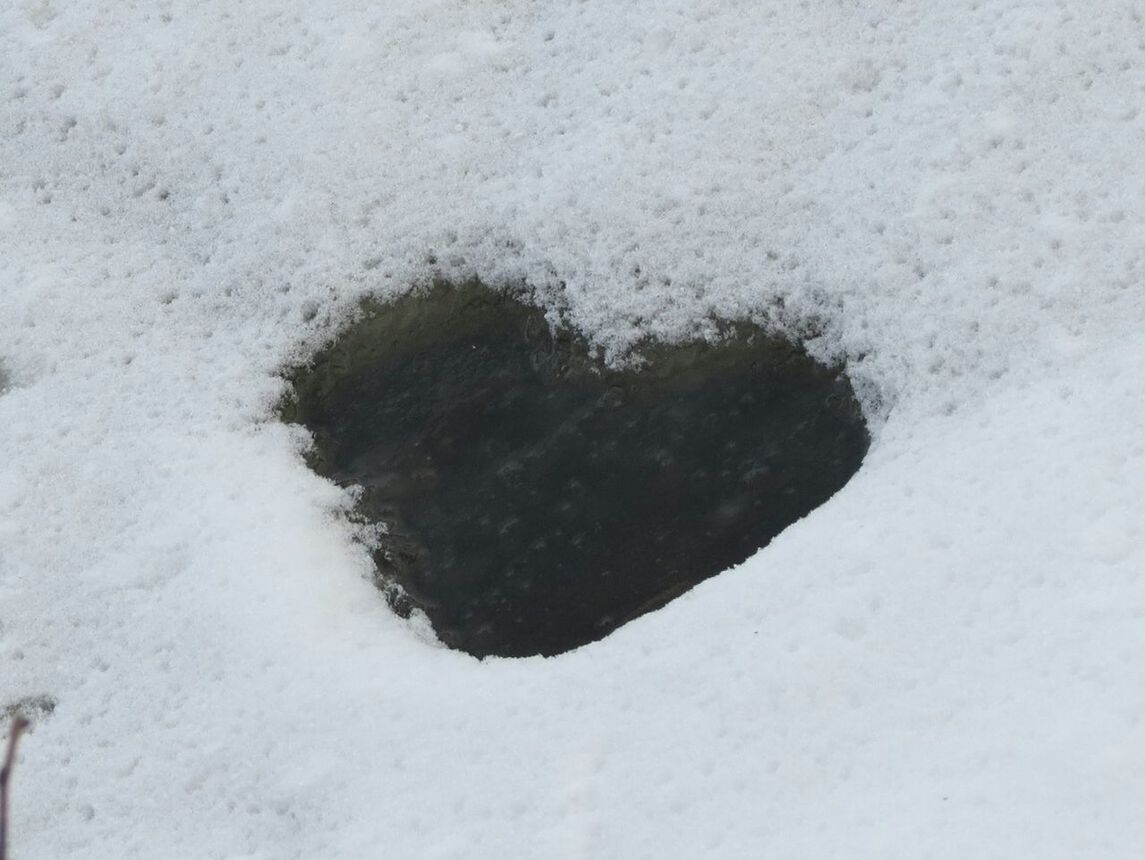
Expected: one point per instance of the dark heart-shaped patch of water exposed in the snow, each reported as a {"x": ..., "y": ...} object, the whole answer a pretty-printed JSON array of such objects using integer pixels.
[{"x": 535, "y": 502}]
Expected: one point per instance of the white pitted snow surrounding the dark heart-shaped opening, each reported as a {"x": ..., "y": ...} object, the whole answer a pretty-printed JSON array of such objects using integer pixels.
[{"x": 947, "y": 660}]
